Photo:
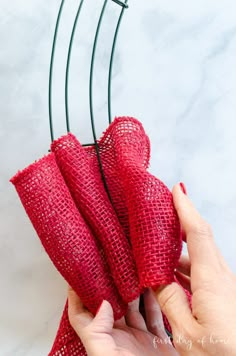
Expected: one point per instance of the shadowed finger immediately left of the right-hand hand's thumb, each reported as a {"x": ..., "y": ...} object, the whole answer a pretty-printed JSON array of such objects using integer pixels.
[{"x": 154, "y": 320}]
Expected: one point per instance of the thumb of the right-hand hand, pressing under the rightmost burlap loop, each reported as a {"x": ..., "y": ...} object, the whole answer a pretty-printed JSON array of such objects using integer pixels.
[{"x": 174, "y": 304}]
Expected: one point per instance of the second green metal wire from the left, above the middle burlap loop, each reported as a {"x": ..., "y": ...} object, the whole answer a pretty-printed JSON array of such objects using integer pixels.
[{"x": 68, "y": 65}]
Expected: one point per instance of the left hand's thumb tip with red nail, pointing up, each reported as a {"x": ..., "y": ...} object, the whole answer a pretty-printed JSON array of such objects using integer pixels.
[{"x": 104, "y": 319}]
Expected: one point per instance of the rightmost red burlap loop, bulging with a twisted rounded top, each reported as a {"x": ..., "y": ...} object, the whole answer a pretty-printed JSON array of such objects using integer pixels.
[{"x": 153, "y": 225}]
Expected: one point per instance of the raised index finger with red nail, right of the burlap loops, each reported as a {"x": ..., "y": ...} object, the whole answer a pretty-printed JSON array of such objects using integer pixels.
[{"x": 200, "y": 242}]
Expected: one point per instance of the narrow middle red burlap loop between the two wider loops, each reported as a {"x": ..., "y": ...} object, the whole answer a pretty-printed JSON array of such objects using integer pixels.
[{"x": 84, "y": 181}]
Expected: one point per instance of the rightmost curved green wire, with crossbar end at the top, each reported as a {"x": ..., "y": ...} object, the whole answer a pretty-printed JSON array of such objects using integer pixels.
[{"x": 124, "y": 6}]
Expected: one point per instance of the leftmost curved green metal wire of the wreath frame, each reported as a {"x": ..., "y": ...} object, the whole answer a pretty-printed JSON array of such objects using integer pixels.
[{"x": 51, "y": 69}]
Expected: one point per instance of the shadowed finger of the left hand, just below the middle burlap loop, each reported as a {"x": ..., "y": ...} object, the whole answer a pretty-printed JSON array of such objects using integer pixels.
[{"x": 133, "y": 317}]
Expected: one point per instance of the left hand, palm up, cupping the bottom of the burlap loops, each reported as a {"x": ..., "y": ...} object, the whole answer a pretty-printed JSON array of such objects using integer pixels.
[{"x": 129, "y": 336}]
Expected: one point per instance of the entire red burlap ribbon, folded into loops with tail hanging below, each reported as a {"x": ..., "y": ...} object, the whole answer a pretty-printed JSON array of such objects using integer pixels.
[{"x": 105, "y": 249}]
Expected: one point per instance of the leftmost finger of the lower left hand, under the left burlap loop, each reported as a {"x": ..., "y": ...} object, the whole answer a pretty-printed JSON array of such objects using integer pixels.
[{"x": 79, "y": 316}]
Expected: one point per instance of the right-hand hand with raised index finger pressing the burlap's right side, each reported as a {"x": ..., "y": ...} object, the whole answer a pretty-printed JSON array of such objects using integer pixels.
[{"x": 210, "y": 327}]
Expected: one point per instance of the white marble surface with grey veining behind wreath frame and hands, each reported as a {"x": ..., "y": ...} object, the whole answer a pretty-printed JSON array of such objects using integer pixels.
[{"x": 174, "y": 70}]
